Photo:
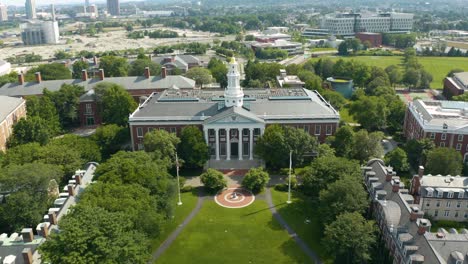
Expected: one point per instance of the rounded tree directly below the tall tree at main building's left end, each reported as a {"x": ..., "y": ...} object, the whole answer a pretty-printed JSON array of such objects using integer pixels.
[{"x": 110, "y": 138}]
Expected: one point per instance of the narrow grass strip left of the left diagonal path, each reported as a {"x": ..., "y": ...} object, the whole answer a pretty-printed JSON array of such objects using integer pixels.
[{"x": 189, "y": 200}]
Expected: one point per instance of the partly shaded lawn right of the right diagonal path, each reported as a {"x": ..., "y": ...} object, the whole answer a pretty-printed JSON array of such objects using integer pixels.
[{"x": 296, "y": 214}]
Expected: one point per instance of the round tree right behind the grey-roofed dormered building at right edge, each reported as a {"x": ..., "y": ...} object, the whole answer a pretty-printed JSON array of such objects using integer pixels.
[{"x": 444, "y": 161}]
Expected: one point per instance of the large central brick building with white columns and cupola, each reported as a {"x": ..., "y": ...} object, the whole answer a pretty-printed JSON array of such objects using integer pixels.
[{"x": 234, "y": 118}]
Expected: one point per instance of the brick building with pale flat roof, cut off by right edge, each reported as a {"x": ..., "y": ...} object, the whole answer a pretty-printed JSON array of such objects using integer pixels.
[{"x": 445, "y": 122}]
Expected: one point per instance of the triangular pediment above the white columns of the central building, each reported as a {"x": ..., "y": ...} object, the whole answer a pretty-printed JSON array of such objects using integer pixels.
[{"x": 234, "y": 115}]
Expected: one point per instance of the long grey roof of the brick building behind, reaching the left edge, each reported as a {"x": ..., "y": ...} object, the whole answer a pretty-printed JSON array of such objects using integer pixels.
[{"x": 130, "y": 83}]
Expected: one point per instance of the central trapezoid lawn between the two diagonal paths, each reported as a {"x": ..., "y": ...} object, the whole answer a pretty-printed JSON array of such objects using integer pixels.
[{"x": 222, "y": 235}]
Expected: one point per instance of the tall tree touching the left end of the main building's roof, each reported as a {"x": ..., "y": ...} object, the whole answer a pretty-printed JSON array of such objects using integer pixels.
[{"x": 115, "y": 103}]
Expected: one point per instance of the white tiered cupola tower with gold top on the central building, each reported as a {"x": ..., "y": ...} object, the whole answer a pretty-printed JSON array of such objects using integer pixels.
[{"x": 233, "y": 94}]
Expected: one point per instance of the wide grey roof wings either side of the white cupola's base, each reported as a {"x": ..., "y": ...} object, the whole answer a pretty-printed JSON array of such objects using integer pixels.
[{"x": 266, "y": 104}]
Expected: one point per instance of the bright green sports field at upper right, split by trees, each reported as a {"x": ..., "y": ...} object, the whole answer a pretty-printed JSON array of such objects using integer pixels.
[{"x": 437, "y": 66}]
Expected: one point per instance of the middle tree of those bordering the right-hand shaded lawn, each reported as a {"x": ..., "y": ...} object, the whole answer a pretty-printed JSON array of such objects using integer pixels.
[{"x": 345, "y": 195}]
